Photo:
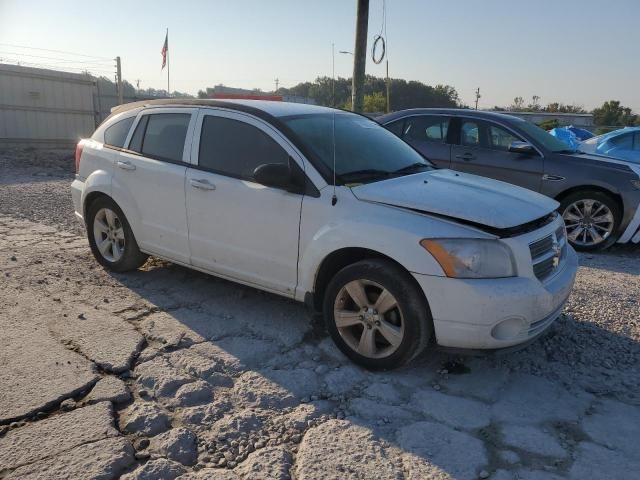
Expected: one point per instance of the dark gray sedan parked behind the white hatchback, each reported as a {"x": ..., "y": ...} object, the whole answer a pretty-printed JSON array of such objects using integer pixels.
[{"x": 598, "y": 196}]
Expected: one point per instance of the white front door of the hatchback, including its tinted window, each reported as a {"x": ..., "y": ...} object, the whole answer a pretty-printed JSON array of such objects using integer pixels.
[{"x": 239, "y": 228}]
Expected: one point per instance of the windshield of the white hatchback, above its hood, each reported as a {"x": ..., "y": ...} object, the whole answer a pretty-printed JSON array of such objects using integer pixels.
[{"x": 364, "y": 151}]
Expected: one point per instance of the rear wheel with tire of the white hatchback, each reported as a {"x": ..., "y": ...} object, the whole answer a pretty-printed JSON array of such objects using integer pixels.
[{"x": 121, "y": 253}]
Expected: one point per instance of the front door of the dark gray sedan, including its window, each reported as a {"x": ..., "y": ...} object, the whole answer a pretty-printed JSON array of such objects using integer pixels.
[{"x": 483, "y": 149}]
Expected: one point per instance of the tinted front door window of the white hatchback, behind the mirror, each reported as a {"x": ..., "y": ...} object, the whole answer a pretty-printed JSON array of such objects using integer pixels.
[{"x": 235, "y": 148}]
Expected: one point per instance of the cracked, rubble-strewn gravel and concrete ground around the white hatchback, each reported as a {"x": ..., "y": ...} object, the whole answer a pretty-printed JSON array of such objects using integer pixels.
[{"x": 168, "y": 373}]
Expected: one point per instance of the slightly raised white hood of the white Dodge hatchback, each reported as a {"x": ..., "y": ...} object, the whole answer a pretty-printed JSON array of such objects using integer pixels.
[{"x": 471, "y": 198}]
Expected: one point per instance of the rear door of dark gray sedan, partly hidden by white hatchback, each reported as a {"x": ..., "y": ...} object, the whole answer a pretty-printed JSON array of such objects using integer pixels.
[{"x": 428, "y": 135}]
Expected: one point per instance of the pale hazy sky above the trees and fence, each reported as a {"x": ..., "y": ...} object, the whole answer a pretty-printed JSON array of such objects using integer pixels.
[{"x": 571, "y": 51}]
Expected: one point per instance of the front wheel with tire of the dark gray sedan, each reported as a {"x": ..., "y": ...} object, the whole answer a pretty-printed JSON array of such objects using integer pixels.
[{"x": 574, "y": 205}]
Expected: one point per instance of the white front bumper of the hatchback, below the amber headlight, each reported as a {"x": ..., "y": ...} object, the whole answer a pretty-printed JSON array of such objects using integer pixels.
[{"x": 496, "y": 313}]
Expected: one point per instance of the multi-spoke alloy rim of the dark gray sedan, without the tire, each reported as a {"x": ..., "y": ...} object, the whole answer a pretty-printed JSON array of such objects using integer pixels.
[{"x": 589, "y": 222}]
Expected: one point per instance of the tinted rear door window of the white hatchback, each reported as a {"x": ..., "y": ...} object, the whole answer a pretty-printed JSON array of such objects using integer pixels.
[{"x": 161, "y": 136}]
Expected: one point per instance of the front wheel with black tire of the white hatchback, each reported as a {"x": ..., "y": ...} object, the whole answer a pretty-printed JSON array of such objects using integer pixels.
[{"x": 365, "y": 332}]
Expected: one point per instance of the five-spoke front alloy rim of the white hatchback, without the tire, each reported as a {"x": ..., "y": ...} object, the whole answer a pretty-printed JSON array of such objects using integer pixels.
[{"x": 369, "y": 319}]
